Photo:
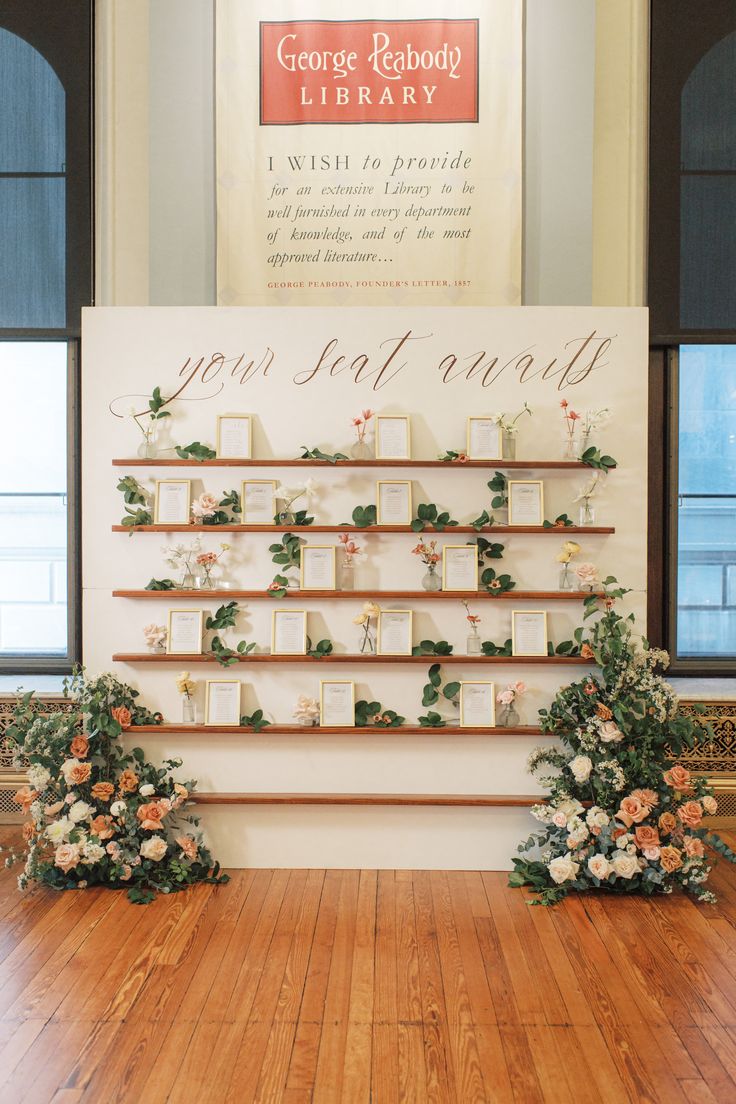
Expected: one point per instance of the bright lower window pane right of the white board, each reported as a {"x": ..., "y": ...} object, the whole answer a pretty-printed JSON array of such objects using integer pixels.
[{"x": 707, "y": 517}]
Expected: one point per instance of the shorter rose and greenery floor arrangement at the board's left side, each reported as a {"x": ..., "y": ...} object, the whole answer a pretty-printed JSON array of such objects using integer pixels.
[{"x": 100, "y": 815}]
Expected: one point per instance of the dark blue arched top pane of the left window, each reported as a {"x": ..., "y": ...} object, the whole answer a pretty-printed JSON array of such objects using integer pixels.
[{"x": 31, "y": 110}]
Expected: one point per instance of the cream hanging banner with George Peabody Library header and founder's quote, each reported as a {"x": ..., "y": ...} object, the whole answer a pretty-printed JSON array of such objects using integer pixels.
[{"x": 369, "y": 161}]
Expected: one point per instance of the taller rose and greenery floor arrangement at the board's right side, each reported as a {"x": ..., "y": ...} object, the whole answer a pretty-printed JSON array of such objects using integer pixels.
[{"x": 623, "y": 814}]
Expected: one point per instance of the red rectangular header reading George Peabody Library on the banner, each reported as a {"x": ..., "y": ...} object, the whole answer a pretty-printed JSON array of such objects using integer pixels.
[{"x": 404, "y": 71}]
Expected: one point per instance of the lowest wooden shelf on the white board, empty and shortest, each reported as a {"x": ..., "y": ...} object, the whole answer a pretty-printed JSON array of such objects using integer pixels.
[{"x": 473, "y": 801}]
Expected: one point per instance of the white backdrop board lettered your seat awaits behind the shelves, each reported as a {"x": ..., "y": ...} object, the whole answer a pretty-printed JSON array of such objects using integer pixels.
[{"x": 304, "y": 375}]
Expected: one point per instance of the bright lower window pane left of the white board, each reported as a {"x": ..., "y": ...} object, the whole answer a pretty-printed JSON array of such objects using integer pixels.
[{"x": 34, "y": 524}]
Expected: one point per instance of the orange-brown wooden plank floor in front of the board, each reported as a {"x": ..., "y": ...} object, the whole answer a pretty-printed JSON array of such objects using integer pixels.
[{"x": 354, "y": 986}]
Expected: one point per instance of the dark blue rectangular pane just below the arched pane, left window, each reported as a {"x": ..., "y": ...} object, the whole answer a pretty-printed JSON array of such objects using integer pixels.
[{"x": 33, "y": 278}]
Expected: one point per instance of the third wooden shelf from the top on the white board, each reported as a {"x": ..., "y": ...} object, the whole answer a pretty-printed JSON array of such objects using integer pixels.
[{"x": 365, "y": 596}]
